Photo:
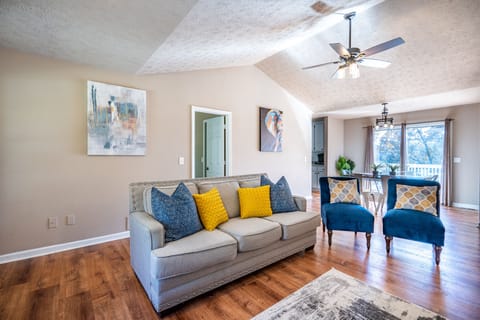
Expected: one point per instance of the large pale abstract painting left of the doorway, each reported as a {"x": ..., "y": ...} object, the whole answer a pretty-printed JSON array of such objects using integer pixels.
[{"x": 116, "y": 120}]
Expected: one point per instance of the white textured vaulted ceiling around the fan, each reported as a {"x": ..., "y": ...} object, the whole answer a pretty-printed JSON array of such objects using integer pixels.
[{"x": 278, "y": 36}]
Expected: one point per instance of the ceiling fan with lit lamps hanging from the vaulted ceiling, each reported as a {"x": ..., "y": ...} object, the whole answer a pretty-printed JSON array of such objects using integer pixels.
[{"x": 350, "y": 58}]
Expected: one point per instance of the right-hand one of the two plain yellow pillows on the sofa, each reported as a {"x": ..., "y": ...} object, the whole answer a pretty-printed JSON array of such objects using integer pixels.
[{"x": 255, "y": 202}]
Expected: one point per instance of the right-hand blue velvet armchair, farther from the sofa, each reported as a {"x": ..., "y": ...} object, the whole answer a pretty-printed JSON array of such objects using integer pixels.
[{"x": 413, "y": 224}]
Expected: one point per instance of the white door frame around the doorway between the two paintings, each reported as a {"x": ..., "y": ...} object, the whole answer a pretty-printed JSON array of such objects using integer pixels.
[{"x": 228, "y": 138}]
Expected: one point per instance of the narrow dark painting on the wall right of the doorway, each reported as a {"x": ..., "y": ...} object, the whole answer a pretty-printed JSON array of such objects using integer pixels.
[{"x": 271, "y": 130}]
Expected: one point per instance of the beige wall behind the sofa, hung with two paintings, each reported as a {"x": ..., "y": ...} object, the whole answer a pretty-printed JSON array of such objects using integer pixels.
[{"x": 44, "y": 168}]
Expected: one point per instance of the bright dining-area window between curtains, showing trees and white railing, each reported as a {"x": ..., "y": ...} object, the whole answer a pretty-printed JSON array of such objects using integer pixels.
[{"x": 424, "y": 149}]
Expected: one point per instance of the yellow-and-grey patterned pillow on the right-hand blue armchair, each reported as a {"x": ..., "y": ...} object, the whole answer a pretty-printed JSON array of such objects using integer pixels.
[{"x": 417, "y": 198}]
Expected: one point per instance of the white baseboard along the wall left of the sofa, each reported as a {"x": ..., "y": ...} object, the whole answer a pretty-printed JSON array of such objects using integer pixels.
[{"x": 31, "y": 253}]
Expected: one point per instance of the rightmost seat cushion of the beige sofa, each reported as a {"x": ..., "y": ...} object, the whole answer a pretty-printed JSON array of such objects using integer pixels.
[{"x": 296, "y": 224}]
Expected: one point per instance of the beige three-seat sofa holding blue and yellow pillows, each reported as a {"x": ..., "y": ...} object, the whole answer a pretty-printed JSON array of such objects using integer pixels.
[{"x": 173, "y": 272}]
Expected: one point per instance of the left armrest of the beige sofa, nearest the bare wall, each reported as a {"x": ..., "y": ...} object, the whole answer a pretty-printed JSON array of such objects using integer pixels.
[{"x": 146, "y": 234}]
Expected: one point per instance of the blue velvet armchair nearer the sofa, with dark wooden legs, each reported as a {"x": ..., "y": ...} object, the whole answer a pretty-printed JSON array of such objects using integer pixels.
[{"x": 344, "y": 216}]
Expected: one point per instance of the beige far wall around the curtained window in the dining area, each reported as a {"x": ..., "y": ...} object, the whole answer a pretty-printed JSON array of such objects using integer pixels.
[{"x": 466, "y": 145}]
